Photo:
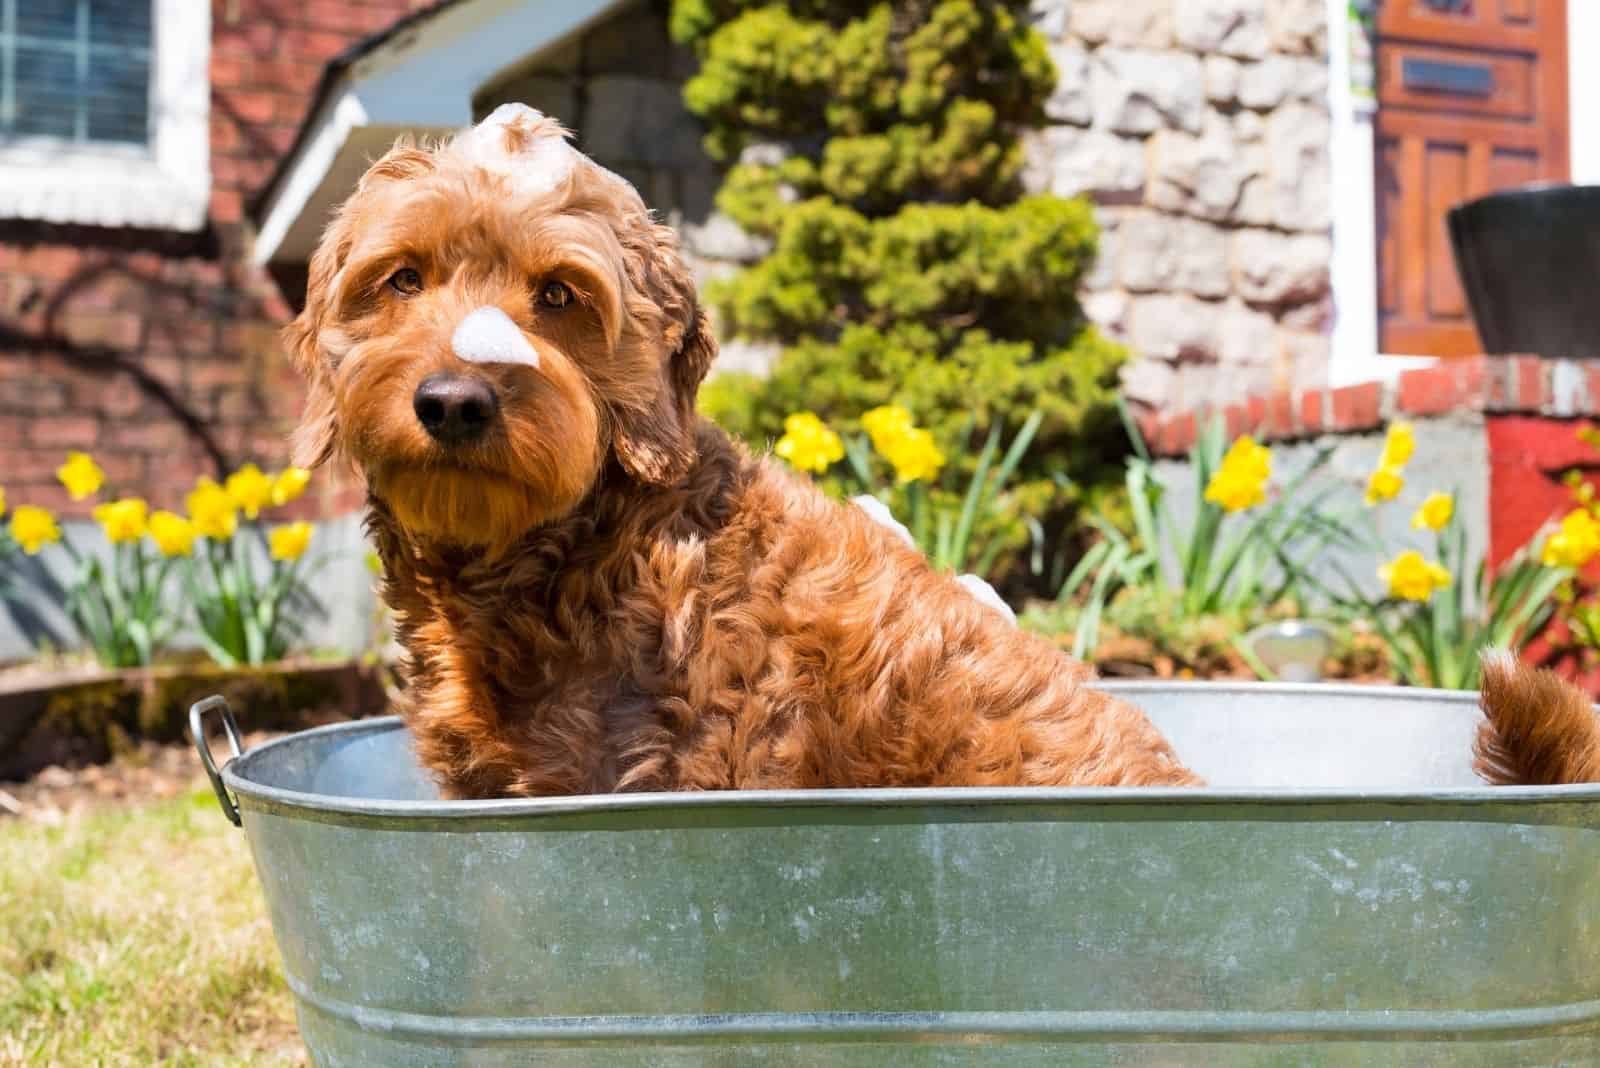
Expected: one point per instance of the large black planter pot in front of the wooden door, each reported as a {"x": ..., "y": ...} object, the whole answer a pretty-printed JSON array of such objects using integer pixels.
[{"x": 1530, "y": 265}]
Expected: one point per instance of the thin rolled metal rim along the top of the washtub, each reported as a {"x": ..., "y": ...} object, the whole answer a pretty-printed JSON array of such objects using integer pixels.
[{"x": 962, "y": 802}]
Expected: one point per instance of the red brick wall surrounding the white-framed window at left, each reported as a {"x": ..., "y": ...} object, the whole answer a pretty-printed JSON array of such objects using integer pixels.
[{"x": 154, "y": 351}]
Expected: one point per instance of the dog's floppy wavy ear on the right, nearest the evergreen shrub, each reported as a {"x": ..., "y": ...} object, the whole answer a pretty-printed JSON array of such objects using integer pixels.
[{"x": 655, "y": 442}]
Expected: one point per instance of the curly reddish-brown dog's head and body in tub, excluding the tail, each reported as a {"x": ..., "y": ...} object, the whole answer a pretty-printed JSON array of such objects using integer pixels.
[{"x": 596, "y": 589}]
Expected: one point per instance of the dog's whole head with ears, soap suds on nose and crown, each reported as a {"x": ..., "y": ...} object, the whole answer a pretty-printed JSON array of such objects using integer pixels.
[{"x": 492, "y": 322}]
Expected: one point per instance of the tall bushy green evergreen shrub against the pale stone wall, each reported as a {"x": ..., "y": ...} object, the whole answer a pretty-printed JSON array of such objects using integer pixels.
[{"x": 906, "y": 265}]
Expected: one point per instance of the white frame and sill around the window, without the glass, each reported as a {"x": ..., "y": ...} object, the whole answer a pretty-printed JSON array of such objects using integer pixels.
[{"x": 167, "y": 186}]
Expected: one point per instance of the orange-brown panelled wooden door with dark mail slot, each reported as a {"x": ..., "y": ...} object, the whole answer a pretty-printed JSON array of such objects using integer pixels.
[{"x": 1471, "y": 100}]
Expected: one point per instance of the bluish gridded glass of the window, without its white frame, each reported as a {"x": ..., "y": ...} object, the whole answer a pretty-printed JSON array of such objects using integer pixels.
[{"x": 76, "y": 70}]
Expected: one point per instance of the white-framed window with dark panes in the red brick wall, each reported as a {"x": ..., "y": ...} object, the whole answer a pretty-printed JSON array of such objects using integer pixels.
[{"x": 105, "y": 113}]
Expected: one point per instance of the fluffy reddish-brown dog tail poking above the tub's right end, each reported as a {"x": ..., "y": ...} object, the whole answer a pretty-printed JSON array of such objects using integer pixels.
[{"x": 1538, "y": 730}]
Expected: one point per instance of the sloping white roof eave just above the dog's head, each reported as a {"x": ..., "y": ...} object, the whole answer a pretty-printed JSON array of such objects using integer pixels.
[{"x": 418, "y": 81}]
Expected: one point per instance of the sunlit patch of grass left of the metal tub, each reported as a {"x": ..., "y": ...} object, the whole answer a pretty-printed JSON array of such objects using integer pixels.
[{"x": 137, "y": 936}]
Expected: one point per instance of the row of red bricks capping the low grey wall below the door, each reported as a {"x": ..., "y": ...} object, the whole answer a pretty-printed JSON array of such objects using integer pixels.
[{"x": 1522, "y": 386}]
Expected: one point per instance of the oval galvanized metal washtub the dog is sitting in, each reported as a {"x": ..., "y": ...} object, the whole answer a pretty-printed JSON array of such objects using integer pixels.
[{"x": 1346, "y": 893}]
